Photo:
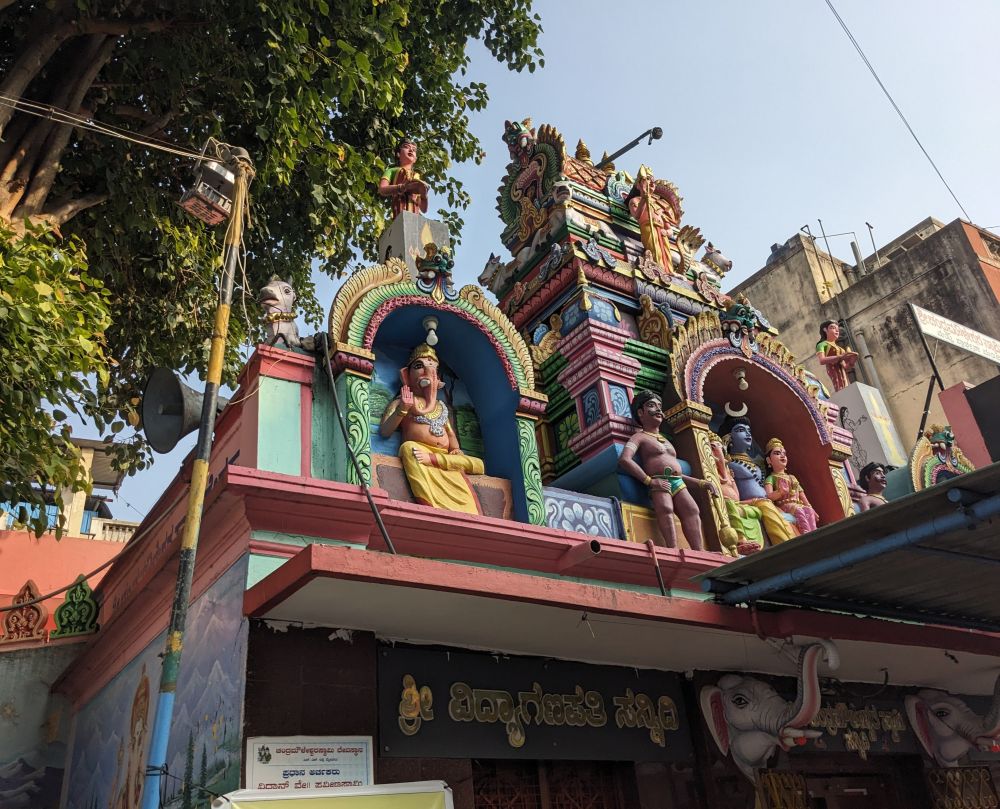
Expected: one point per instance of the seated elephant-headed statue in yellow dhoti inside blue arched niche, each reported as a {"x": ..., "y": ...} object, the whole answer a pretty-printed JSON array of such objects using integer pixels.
[{"x": 435, "y": 466}]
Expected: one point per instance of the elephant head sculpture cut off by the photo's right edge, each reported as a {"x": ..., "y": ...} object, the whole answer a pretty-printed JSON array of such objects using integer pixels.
[{"x": 948, "y": 728}]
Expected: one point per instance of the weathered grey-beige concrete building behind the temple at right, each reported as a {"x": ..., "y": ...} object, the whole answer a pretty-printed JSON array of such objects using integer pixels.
[{"x": 952, "y": 270}]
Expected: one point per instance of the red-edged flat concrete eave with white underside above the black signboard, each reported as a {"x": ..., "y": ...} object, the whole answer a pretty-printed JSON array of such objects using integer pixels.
[{"x": 423, "y": 600}]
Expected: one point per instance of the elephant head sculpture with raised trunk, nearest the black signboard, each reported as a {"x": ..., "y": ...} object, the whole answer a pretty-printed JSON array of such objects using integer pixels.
[{"x": 749, "y": 720}]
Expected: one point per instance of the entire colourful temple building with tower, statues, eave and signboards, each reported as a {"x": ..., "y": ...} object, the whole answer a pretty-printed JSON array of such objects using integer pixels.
[{"x": 584, "y": 536}]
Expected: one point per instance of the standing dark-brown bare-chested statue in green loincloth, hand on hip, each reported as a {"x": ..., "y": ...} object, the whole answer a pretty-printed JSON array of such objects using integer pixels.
[{"x": 657, "y": 469}]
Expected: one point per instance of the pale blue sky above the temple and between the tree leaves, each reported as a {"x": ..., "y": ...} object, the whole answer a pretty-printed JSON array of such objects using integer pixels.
[{"x": 770, "y": 121}]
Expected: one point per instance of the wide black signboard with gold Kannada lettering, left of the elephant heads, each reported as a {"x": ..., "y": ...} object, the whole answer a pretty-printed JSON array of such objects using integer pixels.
[{"x": 456, "y": 704}]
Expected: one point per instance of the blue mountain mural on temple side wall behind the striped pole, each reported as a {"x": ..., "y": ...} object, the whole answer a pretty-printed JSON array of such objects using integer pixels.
[{"x": 112, "y": 730}]
